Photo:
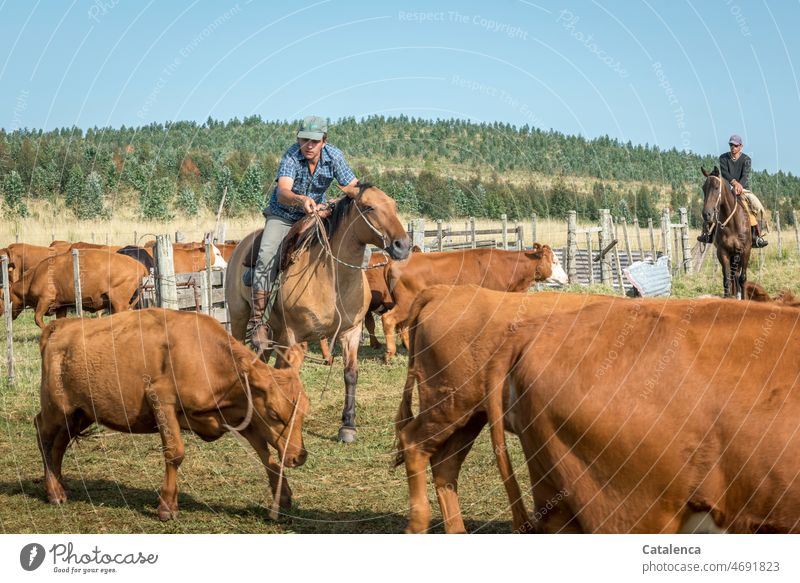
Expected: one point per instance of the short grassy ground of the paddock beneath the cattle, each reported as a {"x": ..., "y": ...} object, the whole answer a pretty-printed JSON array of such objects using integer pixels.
[{"x": 113, "y": 478}]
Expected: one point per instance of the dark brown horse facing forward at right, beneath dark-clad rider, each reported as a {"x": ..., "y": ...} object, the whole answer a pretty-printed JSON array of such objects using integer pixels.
[{"x": 730, "y": 227}]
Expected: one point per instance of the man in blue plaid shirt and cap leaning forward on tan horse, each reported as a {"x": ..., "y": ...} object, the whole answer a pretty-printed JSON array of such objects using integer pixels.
[{"x": 304, "y": 175}]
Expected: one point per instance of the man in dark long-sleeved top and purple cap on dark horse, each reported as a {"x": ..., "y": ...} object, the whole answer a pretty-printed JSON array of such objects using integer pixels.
[{"x": 735, "y": 168}]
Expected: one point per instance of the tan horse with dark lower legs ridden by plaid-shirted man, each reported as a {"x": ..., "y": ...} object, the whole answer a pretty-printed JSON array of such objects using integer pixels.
[{"x": 323, "y": 293}]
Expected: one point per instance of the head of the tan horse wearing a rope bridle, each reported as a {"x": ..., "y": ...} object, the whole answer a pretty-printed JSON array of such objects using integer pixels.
[{"x": 378, "y": 223}]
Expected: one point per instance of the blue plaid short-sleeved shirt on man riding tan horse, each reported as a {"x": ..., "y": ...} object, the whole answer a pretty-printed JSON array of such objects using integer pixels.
[{"x": 294, "y": 165}]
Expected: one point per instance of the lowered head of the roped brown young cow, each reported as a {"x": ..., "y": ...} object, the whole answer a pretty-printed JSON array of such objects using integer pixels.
[{"x": 282, "y": 404}]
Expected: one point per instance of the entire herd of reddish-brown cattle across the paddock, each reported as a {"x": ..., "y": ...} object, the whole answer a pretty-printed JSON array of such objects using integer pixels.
[{"x": 634, "y": 415}]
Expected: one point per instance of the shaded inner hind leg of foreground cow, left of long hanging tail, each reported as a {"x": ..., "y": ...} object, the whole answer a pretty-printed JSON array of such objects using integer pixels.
[{"x": 446, "y": 464}]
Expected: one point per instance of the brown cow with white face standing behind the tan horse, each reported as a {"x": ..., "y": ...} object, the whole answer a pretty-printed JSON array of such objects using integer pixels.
[{"x": 489, "y": 268}]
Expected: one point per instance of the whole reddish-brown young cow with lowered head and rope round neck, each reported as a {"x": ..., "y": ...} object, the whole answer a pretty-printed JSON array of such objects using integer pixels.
[{"x": 137, "y": 372}]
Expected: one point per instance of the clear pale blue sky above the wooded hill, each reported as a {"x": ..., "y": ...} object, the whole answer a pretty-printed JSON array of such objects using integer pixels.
[{"x": 675, "y": 74}]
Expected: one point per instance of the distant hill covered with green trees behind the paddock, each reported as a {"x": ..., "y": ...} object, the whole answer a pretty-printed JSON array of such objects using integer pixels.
[{"x": 440, "y": 169}]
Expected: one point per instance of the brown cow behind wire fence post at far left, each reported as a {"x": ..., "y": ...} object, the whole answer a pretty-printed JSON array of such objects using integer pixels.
[{"x": 108, "y": 280}]
